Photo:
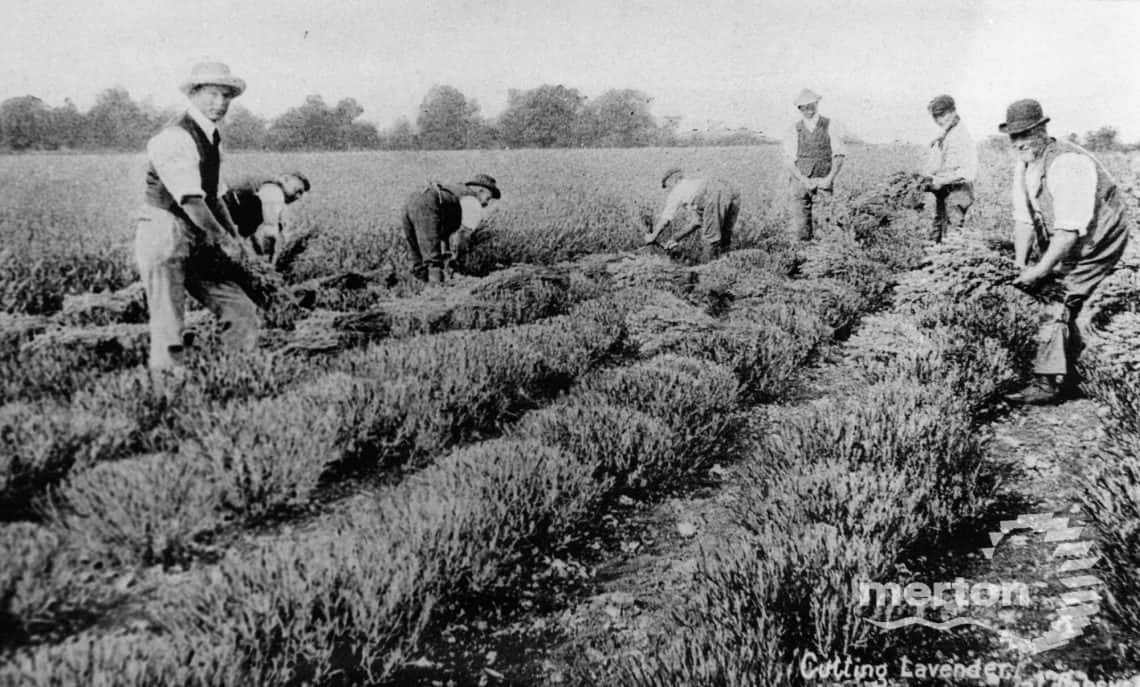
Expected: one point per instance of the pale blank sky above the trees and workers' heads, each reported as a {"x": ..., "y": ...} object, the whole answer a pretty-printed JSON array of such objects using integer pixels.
[{"x": 739, "y": 62}]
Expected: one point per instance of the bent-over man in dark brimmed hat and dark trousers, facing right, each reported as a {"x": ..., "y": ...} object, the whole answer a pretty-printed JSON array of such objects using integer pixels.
[{"x": 434, "y": 217}]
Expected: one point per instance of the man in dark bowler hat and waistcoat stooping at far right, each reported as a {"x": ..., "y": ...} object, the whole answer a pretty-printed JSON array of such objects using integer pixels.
[{"x": 1069, "y": 214}]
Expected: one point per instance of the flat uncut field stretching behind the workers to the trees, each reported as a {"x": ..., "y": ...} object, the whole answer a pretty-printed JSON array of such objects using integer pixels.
[{"x": 68, "y": 222}]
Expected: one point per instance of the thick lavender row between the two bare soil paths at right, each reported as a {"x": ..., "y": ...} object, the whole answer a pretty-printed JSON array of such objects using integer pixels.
[{"x": 841, "y": 489}]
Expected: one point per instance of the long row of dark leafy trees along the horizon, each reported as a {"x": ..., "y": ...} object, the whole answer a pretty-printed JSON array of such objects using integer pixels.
[{"x": 547, "y": 117}]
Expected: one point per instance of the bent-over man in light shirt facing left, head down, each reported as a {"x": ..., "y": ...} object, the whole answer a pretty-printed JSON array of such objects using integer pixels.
[{"x": 707, "y": 205}]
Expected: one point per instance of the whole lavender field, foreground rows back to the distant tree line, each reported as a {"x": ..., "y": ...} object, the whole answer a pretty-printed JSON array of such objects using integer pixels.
[{"x": 314, "y": 517}]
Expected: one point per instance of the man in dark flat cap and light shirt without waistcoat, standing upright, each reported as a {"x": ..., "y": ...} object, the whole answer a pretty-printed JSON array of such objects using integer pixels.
[{"x": 951, "y": 167}]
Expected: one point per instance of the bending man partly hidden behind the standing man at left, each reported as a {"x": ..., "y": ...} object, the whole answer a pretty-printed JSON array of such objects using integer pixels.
[{"x": 257, "y": 207}]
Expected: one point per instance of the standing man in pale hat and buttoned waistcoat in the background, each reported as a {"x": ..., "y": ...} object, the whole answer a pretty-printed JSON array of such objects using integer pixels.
[{"x": 815, "y": 153}]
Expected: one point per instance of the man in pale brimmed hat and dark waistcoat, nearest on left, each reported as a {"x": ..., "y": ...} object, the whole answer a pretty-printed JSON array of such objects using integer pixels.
[{"x": 184, "y": 214}]
